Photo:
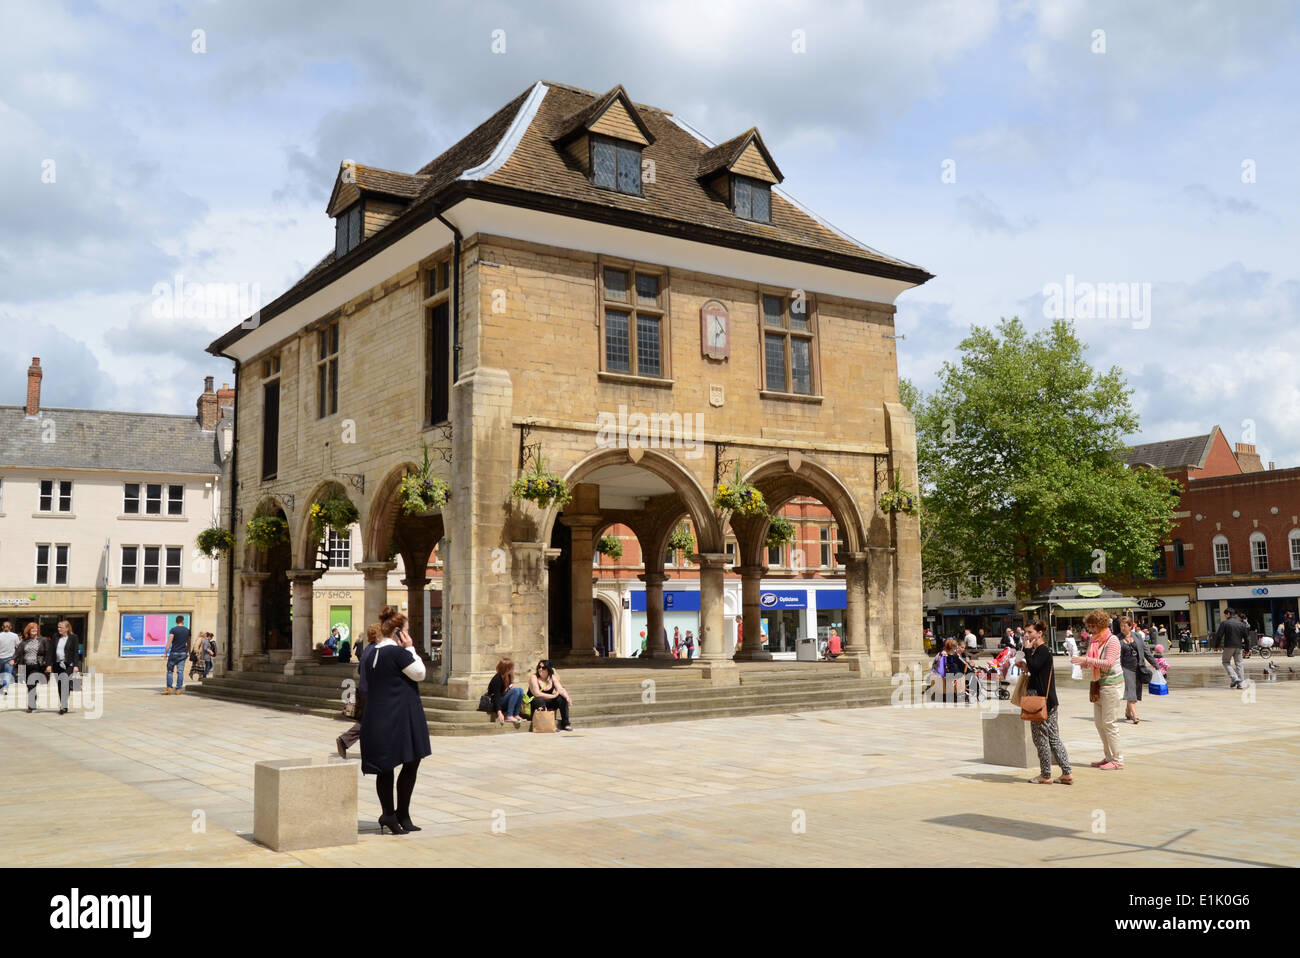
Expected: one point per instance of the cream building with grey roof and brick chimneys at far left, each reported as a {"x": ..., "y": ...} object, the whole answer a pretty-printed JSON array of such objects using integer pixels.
[{"x": 99, "y": 513}]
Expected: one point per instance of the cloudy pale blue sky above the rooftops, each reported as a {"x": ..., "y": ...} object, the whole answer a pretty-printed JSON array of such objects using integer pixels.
[{"x": 1004, "y": 146}]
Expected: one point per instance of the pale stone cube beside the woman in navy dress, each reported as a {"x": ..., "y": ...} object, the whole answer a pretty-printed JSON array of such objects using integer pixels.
[{"x": 300, "y": 804}]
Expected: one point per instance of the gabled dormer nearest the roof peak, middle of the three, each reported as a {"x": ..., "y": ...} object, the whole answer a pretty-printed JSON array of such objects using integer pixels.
[{"x": 605, "y": 140}]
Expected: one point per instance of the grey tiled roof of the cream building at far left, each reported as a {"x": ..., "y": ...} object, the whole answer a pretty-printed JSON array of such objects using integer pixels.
[{"x": 96, "y": 440}]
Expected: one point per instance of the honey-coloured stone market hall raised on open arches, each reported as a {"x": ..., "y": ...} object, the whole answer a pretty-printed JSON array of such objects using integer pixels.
[{"x": 583, "y": 284}]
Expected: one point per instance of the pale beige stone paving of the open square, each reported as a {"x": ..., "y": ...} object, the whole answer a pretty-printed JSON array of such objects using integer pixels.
[{"x": 1210, "y": 782}]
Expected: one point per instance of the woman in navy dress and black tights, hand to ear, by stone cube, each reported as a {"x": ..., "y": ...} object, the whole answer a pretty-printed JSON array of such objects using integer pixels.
[{"x": 395, "y": 729}]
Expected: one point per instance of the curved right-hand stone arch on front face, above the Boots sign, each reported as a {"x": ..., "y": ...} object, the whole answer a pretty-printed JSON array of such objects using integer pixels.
[{"x": 781, "y": 483}]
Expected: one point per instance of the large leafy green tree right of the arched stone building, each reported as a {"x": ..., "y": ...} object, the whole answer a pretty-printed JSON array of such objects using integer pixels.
[{"x": 1022, "y": 465}]
